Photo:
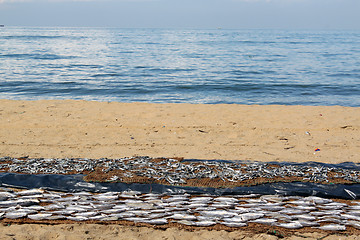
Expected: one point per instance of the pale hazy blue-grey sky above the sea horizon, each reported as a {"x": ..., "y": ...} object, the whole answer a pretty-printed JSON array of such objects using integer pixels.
[{"x": 234, "y": 14}]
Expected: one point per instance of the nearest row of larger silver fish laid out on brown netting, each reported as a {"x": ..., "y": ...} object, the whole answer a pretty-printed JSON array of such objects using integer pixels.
[{"x": 290, "y": 212}]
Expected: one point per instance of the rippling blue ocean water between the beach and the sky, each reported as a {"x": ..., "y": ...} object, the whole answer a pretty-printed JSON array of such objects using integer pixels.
[{"x": 181, "y": 66}]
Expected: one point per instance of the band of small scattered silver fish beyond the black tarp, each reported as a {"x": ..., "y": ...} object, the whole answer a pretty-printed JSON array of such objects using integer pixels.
[{"x": 177, "y": 172}]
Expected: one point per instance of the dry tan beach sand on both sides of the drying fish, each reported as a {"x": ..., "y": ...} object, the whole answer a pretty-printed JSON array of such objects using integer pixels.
[{"x": 59, "y": 129}]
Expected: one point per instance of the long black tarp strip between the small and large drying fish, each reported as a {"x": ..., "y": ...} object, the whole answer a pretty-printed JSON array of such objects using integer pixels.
[{"x": 75, "y": 183}]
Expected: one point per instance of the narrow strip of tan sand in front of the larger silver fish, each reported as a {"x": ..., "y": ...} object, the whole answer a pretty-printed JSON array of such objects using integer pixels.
[{"x": 98, "y": 231}]
